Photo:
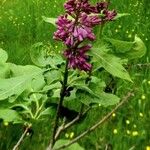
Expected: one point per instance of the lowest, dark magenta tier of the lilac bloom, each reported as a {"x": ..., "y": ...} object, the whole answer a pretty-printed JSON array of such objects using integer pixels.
[{"x": 78, "y": 59}]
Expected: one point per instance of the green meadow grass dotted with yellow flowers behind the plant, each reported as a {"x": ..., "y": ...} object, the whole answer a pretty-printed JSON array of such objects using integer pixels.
[{"x": 21, "y": 25}]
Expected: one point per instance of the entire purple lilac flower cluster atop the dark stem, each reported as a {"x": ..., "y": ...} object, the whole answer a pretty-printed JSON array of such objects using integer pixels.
[{"x": 77, "y": 25}]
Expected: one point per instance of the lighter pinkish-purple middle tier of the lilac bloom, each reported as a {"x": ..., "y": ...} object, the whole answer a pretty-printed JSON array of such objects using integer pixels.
[{"x": 71, "y": 34}]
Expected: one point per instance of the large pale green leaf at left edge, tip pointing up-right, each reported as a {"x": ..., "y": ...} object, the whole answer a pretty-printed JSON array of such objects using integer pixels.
[{"x": 16, "y": 85}]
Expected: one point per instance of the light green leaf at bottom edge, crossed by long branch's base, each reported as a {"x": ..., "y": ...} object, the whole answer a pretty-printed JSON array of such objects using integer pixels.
[{"x": 74, "y": 146}]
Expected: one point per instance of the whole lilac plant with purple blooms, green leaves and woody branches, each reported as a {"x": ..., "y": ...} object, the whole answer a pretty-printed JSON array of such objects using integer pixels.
[{"x": 78, "y": 78}]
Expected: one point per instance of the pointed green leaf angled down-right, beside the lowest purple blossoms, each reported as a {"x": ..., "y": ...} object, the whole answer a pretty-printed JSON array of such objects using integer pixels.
[{"x": 110, "y": 63}]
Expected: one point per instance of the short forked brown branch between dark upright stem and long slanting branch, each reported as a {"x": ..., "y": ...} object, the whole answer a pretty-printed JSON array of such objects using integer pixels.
[{"x": 77, "y": 118}]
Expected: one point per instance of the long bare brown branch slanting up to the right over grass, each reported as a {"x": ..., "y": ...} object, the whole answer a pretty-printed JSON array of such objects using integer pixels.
[{"x": 104, "y": 119}]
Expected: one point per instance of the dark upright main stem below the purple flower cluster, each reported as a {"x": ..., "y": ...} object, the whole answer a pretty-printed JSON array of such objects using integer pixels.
[{"x": 62, "y": 95}]
